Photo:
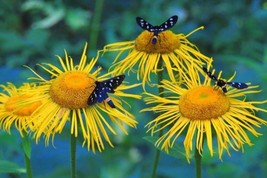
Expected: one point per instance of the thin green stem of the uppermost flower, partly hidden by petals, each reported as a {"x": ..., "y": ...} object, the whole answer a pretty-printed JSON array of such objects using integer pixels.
[{"x": 161, "y": 89}]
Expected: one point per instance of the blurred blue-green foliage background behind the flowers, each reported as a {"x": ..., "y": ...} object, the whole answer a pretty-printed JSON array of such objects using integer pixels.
[{"x": 35, "y": 31}]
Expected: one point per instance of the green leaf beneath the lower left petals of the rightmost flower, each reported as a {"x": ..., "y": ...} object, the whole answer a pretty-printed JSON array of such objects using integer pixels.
[{"x": 176, "y": 151}]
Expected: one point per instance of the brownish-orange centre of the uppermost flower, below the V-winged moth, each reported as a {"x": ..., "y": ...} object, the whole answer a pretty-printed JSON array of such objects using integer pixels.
[{"x": 167, "y": 42}]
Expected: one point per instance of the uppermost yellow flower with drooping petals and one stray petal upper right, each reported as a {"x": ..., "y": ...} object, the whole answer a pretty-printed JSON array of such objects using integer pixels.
[{"x": 174, "y": 50}]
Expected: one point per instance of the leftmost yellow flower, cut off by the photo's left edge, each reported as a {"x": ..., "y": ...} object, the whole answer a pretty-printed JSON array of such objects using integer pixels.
[{"x": 16, "y": 108}]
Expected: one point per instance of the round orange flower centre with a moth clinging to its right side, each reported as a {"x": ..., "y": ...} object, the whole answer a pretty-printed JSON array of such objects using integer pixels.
[{"x": 72, "y": 89}]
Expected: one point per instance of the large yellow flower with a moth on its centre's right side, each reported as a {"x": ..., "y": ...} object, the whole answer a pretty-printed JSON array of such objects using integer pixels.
[{"x": 65, "y": 100}]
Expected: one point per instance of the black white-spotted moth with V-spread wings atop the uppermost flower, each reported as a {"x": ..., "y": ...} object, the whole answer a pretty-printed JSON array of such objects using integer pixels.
[{"x": 156, "y": 29}]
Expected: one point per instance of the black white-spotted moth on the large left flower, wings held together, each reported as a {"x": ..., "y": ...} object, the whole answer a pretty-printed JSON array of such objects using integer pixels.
[{"x": 102, "y": 88}]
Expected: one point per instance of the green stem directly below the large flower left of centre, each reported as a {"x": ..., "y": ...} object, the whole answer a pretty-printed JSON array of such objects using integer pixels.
[{"x": 73, "y": 155}]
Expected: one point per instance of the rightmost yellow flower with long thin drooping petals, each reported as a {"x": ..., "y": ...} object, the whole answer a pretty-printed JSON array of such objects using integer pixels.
[{"x": 196, "y": 111}]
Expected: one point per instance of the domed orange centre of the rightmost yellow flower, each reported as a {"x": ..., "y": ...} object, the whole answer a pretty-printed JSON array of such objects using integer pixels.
[{"x": 203, "y": 103}]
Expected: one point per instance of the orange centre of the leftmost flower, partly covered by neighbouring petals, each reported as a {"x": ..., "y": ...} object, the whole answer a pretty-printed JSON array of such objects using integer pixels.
[{"x": 17, "y": 105}]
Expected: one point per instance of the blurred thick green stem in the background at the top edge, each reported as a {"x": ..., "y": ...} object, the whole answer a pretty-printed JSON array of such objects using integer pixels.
[{"x": 95, "y": 23}]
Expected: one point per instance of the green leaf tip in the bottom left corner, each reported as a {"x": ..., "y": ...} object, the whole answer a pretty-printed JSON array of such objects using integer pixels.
[{"x": 10, "y": 167}]
